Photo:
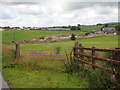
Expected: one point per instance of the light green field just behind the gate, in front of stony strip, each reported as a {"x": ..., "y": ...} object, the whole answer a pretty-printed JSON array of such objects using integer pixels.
[{"x": 99, "y": 42}]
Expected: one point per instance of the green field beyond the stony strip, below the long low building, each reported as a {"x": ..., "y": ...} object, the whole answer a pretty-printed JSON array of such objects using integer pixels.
[{"x": 8, "y": 36}]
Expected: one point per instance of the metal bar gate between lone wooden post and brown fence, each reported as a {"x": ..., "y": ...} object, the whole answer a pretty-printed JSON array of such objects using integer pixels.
[{"x": 46, "y": 53}]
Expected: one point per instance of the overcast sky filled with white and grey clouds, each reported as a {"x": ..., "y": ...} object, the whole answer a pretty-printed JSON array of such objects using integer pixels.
[{"x": 56, "y": 13}]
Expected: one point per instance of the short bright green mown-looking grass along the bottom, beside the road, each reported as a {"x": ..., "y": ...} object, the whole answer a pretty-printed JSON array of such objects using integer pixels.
[{"x": 21, "y": 78}]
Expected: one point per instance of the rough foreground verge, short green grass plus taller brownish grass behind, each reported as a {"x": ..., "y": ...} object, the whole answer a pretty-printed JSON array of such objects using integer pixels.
[{"x": 30, "y": 72}]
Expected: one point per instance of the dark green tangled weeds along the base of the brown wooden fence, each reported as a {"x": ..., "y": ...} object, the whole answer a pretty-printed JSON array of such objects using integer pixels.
[{"x": 97, "y": 78}]
